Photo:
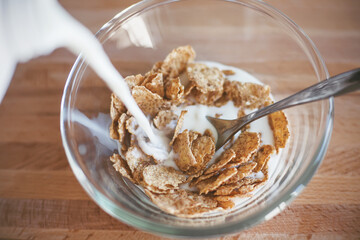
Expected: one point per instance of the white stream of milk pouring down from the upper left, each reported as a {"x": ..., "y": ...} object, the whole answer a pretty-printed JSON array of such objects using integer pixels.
[{"x": 32, "y": 28}]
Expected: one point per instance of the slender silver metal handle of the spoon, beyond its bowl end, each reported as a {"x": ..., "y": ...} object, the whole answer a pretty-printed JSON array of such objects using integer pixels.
[{"x": 334, "y": 86}]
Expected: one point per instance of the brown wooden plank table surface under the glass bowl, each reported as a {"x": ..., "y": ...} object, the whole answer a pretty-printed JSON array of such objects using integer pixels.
[{"x": 41, "y": 199}]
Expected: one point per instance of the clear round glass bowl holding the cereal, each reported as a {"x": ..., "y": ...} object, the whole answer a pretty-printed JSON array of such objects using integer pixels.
[{"x": 247, "y": 34}]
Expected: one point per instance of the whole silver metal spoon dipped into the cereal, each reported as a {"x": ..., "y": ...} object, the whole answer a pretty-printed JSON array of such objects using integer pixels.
[{"x": 334, "y": 86}]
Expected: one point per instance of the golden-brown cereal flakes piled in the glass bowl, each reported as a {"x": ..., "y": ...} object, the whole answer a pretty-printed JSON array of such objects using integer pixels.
[{"x": 192, "y": 180}]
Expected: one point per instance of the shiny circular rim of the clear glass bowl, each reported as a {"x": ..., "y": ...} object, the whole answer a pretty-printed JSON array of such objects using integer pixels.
[{"x": 124, "y": 216}]
